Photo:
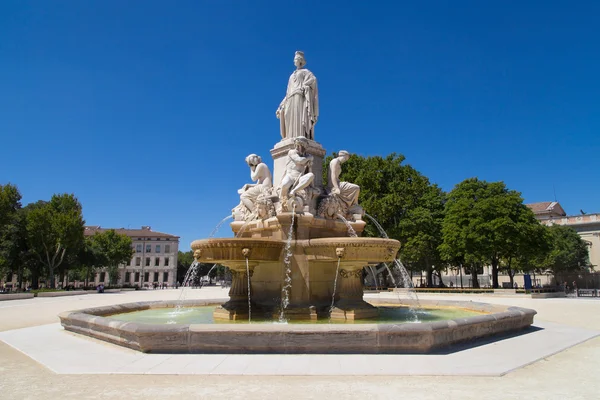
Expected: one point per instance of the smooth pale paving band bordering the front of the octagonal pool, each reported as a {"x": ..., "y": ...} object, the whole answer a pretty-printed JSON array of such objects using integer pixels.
[{"x": 67, "y": 353}]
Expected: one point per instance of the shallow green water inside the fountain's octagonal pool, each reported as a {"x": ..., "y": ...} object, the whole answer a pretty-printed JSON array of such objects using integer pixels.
[{"x": 204, "y": 315}]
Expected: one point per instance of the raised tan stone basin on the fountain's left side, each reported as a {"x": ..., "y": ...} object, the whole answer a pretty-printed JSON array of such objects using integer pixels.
[{"x": 223, "y": 251}]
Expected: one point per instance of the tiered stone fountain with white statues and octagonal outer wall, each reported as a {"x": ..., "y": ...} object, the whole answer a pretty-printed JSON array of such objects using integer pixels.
[{"x": 297, "y": 255}]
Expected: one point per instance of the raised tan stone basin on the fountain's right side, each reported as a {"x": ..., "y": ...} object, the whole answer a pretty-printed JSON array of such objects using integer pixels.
[{"x": 355, "y": 249}]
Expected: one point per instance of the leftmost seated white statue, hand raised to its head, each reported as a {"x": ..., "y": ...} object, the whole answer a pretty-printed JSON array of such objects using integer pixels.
[{"x": 251, "y": 192}]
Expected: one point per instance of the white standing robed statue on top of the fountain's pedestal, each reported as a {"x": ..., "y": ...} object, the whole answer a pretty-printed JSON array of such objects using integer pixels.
[{"x": 299, "y": 110}]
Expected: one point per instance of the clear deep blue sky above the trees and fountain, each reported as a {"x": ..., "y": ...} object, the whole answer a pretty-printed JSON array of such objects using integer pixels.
[{"x": 146, "y": 109}]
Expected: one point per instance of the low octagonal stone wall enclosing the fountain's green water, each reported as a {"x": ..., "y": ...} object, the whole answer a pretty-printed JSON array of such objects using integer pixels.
[{"x": 386, "y": 338}]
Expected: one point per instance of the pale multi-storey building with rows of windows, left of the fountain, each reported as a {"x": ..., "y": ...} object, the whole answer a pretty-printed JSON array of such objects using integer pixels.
[{"x": 154, "y": 261}]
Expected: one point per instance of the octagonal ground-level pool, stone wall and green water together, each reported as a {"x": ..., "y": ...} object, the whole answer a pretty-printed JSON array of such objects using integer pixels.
[{"x": 145, "y": 327}]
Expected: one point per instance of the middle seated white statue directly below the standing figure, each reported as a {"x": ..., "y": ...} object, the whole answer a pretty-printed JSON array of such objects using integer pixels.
[{"x": 298, "y": 172}]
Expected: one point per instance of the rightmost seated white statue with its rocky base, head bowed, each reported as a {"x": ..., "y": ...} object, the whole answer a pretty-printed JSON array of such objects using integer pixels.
[{"x": 342, "y": 196}]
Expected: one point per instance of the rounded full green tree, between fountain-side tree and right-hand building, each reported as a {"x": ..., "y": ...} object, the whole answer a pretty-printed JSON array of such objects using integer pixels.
[{"x": 484, "y": 223}]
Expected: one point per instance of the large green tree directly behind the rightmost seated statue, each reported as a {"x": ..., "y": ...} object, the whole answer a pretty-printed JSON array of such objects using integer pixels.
[{"x": 407, "y": 206}]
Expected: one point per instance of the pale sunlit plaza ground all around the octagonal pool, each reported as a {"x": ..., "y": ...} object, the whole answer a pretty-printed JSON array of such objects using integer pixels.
[{"x": 555, "y": 359}]
